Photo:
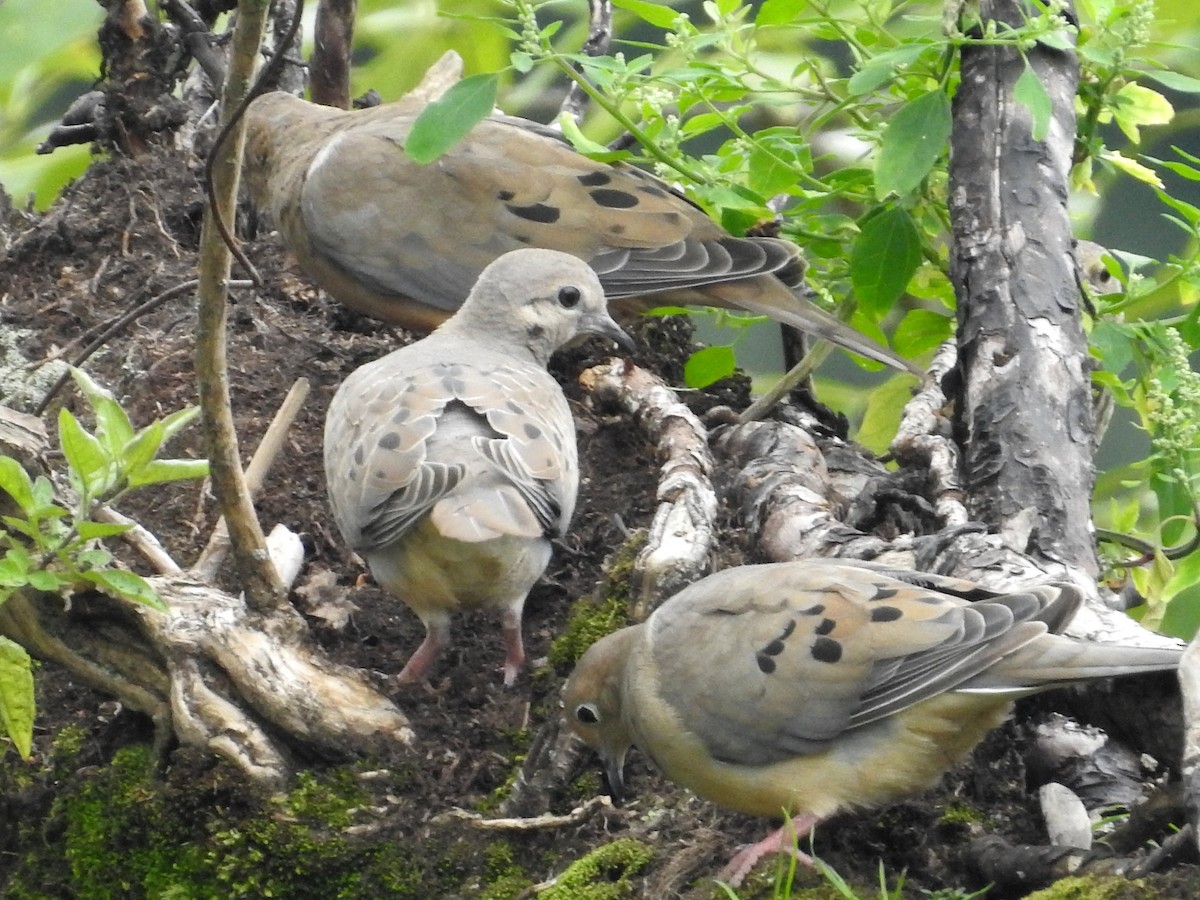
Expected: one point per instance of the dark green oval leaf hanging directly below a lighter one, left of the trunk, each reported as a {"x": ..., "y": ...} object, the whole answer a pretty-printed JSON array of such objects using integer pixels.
[{"x": 885, "y": 257}]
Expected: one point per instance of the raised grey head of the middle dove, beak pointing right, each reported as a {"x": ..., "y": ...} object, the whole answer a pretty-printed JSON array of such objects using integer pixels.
[{"x": 538, "y": 301}]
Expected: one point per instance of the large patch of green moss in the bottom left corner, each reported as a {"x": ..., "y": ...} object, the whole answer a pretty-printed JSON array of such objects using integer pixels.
[{"x": 116, "y": 832}]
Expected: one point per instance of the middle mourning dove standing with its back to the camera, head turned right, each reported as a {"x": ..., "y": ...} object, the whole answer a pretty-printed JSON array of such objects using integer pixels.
[{"x": 452, "y": 463}]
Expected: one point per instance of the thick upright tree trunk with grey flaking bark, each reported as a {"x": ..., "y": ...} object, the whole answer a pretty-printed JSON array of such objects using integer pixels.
[{"x": 1024, "y": 419}]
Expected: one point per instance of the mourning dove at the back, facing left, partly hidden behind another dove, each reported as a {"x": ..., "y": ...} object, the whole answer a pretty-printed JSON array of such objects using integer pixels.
[{"x": 404, "y": 242}]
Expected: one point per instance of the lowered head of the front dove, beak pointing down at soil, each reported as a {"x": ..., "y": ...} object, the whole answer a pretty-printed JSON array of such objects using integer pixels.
[{"x": 592, "y": 704}]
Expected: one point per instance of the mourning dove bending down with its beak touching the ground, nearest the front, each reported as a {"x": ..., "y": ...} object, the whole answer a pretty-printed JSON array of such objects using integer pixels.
[{"x": 818, "y": 687}]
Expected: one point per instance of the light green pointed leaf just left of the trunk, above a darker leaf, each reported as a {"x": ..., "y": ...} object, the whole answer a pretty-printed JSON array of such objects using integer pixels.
[{"x": 913, "y": 145}]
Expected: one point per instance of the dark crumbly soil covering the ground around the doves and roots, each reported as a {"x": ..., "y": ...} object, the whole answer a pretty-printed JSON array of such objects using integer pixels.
[{"x": 128, "y": 232}]
